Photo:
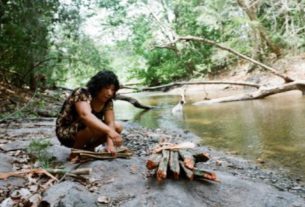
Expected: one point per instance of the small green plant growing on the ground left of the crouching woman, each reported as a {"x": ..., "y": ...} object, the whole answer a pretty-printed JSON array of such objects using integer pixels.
[{"x": 38, "y": 148}]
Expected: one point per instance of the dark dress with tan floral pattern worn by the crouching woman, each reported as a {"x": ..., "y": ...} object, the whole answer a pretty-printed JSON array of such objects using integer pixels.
[{"x": 68, "y": 122}]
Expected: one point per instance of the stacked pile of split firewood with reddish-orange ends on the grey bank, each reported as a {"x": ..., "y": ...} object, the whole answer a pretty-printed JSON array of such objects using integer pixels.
[{"x": 176, "y": 161}]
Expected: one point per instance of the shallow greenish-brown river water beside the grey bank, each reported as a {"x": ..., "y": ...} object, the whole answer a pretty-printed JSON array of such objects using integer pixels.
[{"x": 271, "y": 129}]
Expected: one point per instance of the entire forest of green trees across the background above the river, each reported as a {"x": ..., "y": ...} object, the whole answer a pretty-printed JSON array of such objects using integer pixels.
[{"x": 61, "y": 43}]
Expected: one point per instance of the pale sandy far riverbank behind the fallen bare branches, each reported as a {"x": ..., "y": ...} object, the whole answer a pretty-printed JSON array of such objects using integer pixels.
[{"x": 293, "y": 67}]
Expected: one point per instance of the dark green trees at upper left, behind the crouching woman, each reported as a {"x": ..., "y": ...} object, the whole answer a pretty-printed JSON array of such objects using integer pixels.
[{"x": 43, "y": 38}]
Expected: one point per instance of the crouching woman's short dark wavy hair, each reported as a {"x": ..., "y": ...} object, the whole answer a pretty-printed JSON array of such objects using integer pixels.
[{"x": 102, "y": 79}]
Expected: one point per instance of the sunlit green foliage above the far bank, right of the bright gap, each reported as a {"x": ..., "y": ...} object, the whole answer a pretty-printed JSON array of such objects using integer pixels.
[{"x": 224, "y": 22}]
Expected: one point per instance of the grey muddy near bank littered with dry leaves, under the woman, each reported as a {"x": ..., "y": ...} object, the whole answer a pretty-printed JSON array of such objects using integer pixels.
[{"x": 125, "y": 182}]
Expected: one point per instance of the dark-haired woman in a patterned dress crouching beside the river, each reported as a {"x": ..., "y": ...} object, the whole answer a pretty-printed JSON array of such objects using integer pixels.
[{"x": 86, "y": 119}]
